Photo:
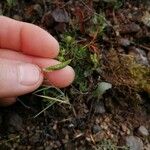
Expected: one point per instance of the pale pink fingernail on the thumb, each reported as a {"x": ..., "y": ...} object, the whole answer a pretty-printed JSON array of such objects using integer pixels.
[{"x": 28, "y": 74}]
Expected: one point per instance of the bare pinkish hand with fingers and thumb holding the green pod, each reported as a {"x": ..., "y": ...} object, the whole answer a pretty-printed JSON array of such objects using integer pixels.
[{"x": 24, "y": 50}]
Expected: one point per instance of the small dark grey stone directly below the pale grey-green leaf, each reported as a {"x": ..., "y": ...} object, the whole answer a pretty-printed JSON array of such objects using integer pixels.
[{"x": 99, "y": 108}]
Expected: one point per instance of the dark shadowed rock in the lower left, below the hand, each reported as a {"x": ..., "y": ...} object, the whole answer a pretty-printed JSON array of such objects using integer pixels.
[{"x": 13, "y": 122}]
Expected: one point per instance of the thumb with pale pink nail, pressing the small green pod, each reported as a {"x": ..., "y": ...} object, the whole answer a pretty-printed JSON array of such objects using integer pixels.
[{"x": 18, "y": 78}]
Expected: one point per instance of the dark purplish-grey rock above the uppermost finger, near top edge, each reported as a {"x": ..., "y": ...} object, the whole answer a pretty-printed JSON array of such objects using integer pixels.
[{"x": 60, "y": 15}]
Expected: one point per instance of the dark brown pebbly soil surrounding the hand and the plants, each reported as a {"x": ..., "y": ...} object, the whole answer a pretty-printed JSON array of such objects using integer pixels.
[{"x": 85, "y": 124}]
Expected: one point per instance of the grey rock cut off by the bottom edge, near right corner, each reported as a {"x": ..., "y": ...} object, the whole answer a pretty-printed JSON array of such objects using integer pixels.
[{"x": 134, "y": 143}]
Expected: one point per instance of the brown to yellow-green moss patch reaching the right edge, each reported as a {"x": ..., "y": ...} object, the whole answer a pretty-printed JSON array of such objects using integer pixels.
[{"x": 123, "y": 70}]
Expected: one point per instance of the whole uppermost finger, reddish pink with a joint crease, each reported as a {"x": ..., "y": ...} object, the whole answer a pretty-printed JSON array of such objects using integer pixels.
[{"x": 27, "y": 38}]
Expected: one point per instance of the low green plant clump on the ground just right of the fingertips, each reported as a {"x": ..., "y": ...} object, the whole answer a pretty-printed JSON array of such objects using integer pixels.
[{"x": 83, "y": 61}]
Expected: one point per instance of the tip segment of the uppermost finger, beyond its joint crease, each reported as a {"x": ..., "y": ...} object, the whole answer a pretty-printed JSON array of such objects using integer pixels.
[{"x": 38, "y": 42}]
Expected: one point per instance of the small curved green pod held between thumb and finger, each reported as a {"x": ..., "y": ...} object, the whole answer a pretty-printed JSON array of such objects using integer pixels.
[{"x": 57, "y": 67}]
